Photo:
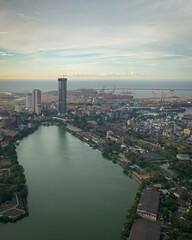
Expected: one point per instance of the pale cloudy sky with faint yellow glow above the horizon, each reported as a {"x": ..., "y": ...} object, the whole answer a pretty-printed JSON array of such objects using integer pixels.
[{"x": 89, "y": 39}]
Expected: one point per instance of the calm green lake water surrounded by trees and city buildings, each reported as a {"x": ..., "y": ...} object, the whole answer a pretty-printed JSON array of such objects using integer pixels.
[{"x": 74, "y": 193}]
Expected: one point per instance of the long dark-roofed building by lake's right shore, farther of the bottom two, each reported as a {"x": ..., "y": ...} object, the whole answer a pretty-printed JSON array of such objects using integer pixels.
[{"x": 148, "y": 204}]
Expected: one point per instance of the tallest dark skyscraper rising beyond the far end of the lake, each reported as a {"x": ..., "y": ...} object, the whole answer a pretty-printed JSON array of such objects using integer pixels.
[{"x": 62, "y": 92}]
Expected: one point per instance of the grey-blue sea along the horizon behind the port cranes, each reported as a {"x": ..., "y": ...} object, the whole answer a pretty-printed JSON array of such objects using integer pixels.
[{"x": 138, "y": 88}]
